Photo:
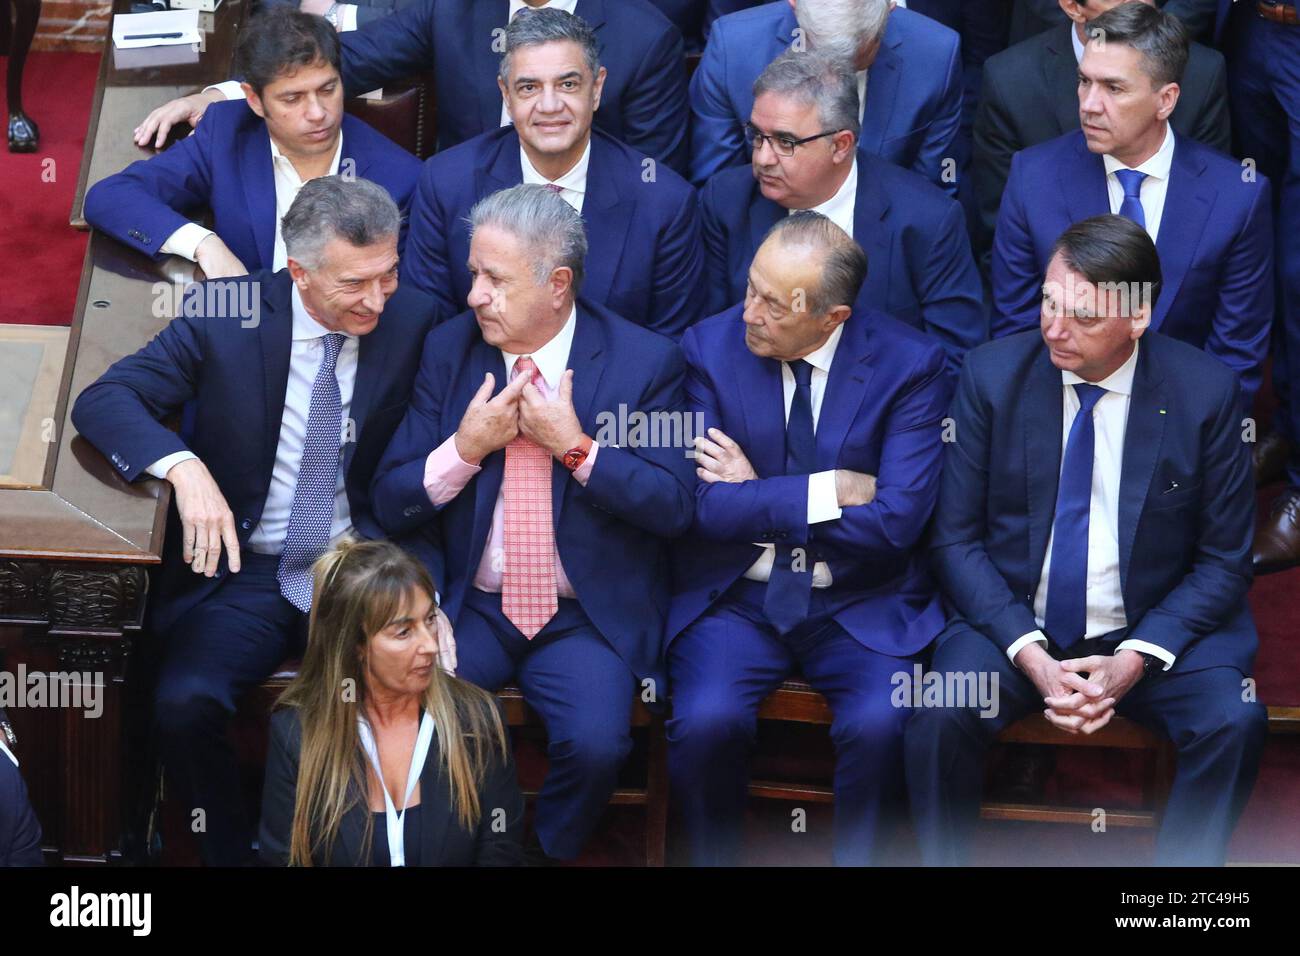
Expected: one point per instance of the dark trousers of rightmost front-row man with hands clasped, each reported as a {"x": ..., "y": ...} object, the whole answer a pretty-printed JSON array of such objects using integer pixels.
[{"x": 1219, "y": 738}]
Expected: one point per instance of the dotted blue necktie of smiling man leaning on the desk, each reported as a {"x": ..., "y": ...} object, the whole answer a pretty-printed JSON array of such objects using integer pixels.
[{"x": 313, "y": 513}]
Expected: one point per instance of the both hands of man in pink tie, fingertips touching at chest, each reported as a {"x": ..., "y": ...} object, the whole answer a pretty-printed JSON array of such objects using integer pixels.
[{"x": 492, "y": 422}]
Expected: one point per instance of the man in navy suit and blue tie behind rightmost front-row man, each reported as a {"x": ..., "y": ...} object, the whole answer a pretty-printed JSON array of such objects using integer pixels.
[{"x": 1210, "y": 217}]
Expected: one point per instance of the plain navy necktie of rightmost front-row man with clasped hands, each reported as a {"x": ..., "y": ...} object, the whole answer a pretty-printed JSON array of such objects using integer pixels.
[{"x": 1067, "y": 615}]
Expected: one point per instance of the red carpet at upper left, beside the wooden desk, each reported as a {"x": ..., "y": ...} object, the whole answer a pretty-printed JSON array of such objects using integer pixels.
[{"x": 37, "y": 193}]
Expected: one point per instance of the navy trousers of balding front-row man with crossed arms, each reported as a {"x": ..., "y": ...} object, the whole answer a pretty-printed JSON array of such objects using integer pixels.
[{"x": 723, "y": 667}]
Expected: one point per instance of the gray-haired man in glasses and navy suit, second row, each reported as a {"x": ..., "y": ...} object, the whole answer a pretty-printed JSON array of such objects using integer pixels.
[{"x": 920, "y": 259}]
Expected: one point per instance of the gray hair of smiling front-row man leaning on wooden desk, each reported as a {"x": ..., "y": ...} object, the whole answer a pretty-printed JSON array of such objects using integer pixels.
[{"x": 332, "y": 207}]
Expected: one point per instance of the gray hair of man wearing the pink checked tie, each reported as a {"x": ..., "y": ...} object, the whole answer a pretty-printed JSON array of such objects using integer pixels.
[{"x": 548, "y": 227}]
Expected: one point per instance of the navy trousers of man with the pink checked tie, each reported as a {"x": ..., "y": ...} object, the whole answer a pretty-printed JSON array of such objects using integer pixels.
[{"x": 583, "y": 691}]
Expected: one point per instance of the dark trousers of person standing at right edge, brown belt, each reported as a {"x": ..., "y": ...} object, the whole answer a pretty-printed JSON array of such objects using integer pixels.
[{"x": 1264, "y": 93}]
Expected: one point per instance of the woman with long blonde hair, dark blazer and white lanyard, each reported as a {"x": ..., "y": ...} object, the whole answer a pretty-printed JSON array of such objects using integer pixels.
[{"x": 378, "y": 756}]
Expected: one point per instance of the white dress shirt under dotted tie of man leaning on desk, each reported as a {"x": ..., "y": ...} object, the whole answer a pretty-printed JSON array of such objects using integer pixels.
[{"x": 305, "y": 362}]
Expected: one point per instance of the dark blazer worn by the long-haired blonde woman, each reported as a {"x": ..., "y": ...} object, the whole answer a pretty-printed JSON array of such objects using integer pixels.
[{"x": 444, "y": 841}]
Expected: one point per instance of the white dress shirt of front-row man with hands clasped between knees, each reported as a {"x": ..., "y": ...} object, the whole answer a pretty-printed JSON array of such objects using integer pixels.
[{"x": 1106, "y": 602}]
